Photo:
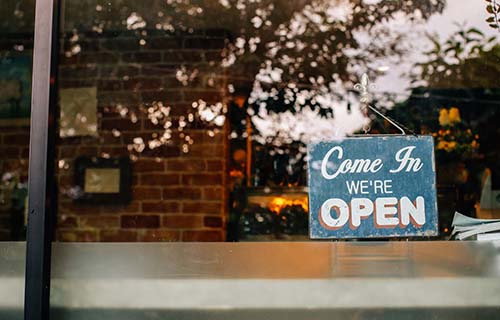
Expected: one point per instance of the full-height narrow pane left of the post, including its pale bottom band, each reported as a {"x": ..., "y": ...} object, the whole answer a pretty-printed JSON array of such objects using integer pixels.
[{"x": 16, "y": 50}]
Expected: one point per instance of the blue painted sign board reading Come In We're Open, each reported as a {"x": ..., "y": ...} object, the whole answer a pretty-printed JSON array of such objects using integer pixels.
[{"x": 372, "y": 187}]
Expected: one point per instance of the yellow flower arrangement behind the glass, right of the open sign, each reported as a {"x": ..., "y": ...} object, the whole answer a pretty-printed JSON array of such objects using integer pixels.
[{"x": 454, "y": 140}]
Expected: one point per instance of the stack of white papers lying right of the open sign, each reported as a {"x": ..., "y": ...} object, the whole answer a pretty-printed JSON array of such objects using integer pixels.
[{"x": 465, "y": 227}]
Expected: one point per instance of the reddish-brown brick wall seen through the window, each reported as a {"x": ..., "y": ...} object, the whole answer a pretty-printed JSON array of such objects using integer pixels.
[{"x": 176, "y": 195}]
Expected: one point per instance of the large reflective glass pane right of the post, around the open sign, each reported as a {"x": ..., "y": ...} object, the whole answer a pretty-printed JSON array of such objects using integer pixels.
[{"x": 189, "y": 120}]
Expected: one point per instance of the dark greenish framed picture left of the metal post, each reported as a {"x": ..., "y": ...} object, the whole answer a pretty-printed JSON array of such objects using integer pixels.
[{"x": 15, "y": 89}]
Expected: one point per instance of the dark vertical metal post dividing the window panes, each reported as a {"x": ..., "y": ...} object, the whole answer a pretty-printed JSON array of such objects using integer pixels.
[{"x": 41, "y": 164}]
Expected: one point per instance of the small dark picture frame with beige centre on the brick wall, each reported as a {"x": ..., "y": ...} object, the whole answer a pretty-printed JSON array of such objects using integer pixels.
[{"x": 103, "y": 180}]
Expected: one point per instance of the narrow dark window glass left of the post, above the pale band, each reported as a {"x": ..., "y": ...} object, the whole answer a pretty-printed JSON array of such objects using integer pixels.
[{"x": 16, "y": 49}]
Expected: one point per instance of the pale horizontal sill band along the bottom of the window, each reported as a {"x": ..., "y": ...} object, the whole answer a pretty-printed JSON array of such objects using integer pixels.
[{"x": 203, "y": 280}]
